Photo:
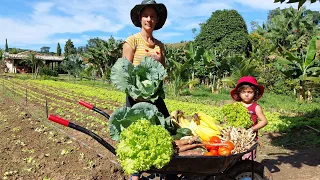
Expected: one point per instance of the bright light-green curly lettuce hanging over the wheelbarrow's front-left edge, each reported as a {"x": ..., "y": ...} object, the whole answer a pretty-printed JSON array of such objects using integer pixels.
[{"x": 143, "y": 145}]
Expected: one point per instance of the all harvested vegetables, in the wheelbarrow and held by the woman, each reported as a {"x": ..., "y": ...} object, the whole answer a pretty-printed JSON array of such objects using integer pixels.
[{"x": 148, "y": 140}]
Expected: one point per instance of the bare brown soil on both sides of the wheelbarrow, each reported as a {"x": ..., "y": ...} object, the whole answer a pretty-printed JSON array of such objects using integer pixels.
[{"x": 31, "y": 147}]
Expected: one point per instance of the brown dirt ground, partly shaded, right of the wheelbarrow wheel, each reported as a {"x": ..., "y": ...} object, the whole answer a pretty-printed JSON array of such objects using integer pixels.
[{"x": 289, "y": 163}]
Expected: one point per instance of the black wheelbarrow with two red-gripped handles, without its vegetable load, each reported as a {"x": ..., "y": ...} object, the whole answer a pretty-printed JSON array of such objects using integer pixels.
[{"x": 190, "y": 167}]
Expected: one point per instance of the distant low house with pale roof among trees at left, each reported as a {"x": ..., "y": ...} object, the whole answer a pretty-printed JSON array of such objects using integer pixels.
[{"x": 14, "y": 61}]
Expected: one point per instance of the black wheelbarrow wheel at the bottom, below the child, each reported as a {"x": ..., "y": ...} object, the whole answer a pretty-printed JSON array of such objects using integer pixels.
[{"x": 243, "y": 170}]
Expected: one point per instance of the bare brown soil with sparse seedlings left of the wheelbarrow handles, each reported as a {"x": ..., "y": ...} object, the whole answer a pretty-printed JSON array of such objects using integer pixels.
[{"x": 34, "y": 148}]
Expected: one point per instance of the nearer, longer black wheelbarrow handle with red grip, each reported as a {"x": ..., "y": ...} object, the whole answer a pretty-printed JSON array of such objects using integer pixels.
[{"x": 64, "y": 122}]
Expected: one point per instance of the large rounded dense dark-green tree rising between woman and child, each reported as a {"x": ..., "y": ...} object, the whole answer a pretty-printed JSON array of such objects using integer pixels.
[{"x": 225, "y": 29}]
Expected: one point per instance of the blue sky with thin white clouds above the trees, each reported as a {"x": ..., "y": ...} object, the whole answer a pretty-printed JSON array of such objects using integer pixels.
[{"x": 33, "y": 24}]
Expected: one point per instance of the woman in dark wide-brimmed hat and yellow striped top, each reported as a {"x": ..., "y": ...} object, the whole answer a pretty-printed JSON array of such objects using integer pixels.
[{"x": 150, "y": 16}]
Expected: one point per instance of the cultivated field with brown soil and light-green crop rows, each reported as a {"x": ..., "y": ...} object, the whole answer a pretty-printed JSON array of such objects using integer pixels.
[{"x": 34, "y": 148}]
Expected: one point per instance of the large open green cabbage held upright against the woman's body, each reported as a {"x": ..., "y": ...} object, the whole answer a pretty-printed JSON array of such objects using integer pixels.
[{"x": 143, "y": 82}]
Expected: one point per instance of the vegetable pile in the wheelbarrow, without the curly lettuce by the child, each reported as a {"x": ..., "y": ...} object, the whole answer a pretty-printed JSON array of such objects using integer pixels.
[{"x": 148, "y": 140}]
